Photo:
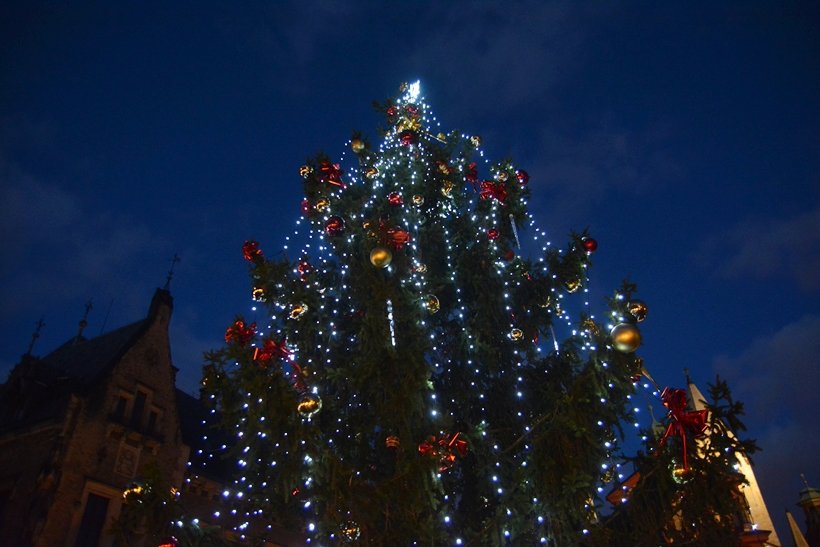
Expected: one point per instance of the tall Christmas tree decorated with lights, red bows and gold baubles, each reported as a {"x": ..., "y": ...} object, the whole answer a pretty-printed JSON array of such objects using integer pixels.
[{"x": 412, "y": 377}]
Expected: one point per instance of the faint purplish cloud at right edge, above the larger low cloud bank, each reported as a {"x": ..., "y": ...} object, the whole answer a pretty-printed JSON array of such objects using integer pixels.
[{"x": 768, "y": 248}]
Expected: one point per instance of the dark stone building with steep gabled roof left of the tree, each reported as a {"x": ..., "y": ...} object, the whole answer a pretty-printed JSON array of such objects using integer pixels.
[{"x": 76, "y": 427}]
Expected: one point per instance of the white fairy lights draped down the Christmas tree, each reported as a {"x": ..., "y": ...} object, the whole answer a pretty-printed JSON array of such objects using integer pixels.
[{"x": 315, "y": 251}]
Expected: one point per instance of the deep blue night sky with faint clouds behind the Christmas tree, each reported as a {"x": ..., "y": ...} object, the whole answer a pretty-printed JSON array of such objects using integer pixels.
[{"x": 687, "y": 141}]
